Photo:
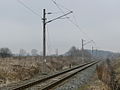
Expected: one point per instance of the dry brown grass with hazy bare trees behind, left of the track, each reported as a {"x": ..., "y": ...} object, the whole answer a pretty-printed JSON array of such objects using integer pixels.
[{"x": 24, "y": 66}]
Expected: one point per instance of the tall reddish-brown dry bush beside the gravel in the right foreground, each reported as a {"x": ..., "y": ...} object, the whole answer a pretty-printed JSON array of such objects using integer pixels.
[{"x": 107, "y": 75}]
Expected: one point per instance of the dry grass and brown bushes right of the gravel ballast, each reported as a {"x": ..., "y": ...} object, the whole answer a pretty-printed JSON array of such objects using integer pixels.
[{"x": 107, "y": 76}]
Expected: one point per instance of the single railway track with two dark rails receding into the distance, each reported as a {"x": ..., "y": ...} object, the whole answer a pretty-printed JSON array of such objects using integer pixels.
[{"x": 50, "y": 82}]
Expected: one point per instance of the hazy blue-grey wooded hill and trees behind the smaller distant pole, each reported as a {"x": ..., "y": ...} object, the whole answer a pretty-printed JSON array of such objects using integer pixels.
[{"x": 101, "y": 54}]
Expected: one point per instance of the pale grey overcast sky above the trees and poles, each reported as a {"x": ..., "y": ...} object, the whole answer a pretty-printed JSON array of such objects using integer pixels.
[{"x": 99, "y": 19}]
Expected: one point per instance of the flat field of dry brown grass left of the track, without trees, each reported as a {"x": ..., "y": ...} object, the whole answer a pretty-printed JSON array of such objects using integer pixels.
[{"x": 15, "y": 69}]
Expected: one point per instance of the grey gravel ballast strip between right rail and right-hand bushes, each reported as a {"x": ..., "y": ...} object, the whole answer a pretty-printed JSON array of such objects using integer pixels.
[{"x": 78, "y": 80}]
